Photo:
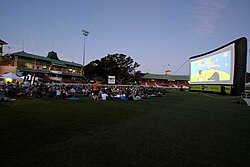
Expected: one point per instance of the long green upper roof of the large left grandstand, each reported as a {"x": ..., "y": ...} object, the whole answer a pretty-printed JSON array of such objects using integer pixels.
[{"x": 53, "y": 61}]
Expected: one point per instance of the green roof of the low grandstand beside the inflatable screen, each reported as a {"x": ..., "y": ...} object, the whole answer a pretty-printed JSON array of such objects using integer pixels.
[{"x": 166, "y": 77}]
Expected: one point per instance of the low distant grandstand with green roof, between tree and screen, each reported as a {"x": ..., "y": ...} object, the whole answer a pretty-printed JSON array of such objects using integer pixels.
[{"x": 166, "y": 80}]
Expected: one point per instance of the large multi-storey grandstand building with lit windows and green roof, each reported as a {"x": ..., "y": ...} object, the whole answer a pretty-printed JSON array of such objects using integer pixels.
[{"x": 44, "y": 69}]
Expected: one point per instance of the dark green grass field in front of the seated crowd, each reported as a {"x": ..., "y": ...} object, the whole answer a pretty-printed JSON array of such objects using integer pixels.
[{"x": 181, "y": 129}]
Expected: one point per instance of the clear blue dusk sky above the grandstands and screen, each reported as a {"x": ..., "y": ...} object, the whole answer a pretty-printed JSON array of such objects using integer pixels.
[{"x": 158, "y": 34}]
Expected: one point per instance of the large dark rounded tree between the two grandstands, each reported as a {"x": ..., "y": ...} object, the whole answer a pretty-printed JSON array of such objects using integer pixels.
[{"x": 121, "y": 66}]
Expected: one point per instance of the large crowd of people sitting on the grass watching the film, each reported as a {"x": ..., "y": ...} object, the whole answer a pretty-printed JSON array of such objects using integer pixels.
[{"x": 65, "y": 91}]
